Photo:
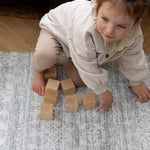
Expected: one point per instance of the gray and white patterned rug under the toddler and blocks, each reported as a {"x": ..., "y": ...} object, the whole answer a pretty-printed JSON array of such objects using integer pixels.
[{"x": 125, "y": 127}]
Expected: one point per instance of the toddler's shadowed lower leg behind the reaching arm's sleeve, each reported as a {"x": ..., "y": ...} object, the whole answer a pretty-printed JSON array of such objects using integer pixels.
[{"x": 73, "y": 73}]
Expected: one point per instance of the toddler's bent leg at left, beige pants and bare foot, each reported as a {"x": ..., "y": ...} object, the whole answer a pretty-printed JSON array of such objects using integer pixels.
[{"x": 45, "y": 56}]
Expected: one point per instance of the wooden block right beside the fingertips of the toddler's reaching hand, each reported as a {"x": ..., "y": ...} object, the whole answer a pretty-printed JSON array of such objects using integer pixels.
[{"x": 88, "y": 101}]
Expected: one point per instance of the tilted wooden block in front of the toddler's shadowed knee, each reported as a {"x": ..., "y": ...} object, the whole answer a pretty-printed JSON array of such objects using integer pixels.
[{"x": 67, "y": 87}]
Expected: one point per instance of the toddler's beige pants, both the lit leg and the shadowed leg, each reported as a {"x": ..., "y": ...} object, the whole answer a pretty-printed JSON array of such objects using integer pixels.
[{"x": 46, "y": 53}]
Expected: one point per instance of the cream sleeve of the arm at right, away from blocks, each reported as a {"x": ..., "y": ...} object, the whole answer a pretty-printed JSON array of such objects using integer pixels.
[{"x": 133, "y": 63}]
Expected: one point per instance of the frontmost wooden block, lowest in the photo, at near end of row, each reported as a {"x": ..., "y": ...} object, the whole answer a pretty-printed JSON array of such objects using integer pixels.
[{"x": 46, "y": 111}]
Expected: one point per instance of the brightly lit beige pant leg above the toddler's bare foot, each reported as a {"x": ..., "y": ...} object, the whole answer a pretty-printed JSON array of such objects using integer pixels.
[{"x": 46, "y": 51}]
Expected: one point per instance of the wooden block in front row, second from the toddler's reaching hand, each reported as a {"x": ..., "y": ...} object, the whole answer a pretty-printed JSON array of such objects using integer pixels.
[{"x": 71, "y": 103}]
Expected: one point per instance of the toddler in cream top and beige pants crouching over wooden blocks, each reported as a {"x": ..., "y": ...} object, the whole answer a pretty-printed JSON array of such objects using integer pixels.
[{"x": 92, "y": 33}]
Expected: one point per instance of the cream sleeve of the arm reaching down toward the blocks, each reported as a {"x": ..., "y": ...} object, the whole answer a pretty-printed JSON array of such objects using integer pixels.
[{"x": 84, "y": 57}]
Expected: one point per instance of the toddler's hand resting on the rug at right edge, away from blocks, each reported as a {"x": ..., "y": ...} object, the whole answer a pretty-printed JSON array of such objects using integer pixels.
[{"x": 142, "y": 92}]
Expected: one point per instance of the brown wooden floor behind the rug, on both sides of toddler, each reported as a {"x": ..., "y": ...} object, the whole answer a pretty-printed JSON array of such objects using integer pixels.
[{"x": 21, "y": 34}]
